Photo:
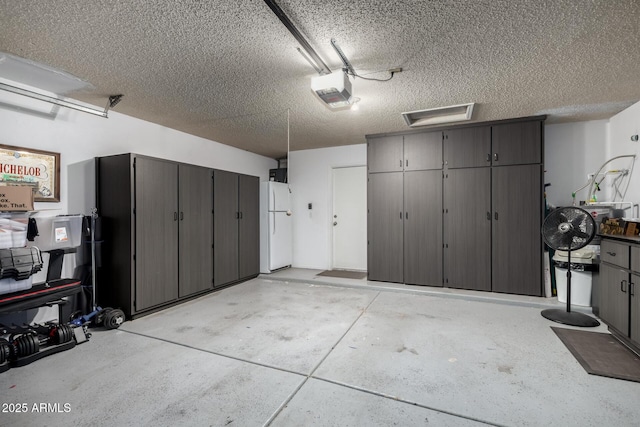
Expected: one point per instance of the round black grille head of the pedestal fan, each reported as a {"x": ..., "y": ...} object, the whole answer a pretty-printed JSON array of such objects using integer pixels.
[{"x": 568, "y": 229}]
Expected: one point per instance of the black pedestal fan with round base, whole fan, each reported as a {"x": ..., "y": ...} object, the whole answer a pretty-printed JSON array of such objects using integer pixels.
[{"x": 568, "y": 229}]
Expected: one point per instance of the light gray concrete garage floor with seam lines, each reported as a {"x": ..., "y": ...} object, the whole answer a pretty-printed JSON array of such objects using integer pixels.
[{"x": 292, "y": 349}]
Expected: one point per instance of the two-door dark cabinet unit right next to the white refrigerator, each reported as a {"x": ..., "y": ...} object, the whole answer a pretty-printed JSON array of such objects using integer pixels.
[{"x": 236, "y": 227}]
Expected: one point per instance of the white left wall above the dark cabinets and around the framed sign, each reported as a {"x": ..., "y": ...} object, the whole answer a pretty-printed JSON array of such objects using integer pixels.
[{"x": 79, "y": 137}]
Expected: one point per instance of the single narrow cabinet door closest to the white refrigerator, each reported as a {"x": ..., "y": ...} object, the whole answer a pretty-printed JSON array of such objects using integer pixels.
[{"x": 249, "y": 226}]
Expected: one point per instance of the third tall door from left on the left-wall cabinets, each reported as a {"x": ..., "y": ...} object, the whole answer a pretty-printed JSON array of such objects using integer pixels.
[{"x": 225, "y": 227}]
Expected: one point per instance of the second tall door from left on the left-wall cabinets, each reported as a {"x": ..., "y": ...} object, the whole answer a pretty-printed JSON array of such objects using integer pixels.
[{"x": 196, "y": 229}]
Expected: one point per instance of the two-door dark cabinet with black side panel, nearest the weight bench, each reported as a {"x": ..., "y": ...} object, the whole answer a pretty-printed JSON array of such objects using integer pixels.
[{"x": 157, "y": 224}]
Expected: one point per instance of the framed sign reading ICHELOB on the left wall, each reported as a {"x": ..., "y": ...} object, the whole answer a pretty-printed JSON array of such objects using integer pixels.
[{"x": 36, "y": 168}]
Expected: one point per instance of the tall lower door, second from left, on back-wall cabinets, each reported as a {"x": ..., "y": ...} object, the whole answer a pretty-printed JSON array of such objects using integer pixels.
[{"x": 422, "y": 231}]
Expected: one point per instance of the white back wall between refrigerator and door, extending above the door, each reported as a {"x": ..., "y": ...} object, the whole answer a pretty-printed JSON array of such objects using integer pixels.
[{"x": 310, "y": 179}]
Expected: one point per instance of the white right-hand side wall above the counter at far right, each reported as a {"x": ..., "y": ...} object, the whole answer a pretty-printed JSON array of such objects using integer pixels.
[{"x": 621, "y": 127}]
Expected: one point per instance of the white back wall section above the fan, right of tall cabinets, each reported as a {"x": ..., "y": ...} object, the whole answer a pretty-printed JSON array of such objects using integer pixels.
[{"x": 572, "y": 150}]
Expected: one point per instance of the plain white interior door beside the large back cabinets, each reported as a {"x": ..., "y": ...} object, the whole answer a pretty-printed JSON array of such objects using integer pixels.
[{"x": 350, "y": 218}]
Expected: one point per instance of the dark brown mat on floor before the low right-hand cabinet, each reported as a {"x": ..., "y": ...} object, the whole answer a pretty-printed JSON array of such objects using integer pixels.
[{"x": 601, "y": 354}]
